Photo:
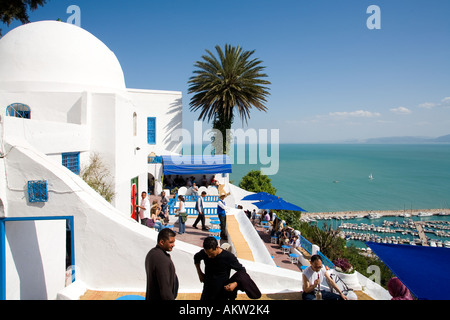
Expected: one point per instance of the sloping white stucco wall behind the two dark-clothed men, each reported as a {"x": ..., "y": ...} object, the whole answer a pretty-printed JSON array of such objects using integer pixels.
[{"x": 110, "y": 249}]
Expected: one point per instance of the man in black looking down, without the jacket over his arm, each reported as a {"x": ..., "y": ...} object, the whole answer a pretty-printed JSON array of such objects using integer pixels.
[{"x": 218, "y": 265}]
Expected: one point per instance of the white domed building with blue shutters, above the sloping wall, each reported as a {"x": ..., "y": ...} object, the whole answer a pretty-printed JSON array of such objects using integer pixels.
[{"x": 63, "y": 91}]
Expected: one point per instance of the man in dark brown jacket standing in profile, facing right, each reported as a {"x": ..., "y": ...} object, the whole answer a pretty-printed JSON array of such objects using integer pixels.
[{"x": 162, "y": 281}]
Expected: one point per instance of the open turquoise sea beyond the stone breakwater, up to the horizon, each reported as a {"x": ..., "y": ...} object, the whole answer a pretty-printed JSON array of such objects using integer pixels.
[{"x": 335, "y": 177}]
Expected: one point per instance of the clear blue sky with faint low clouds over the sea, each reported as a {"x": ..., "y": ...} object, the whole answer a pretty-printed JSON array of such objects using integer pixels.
[{"x": 332, "y": 78}]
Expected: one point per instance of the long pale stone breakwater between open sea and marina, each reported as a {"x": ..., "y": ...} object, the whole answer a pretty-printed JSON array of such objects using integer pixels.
[{"x": 358, "y": 214}]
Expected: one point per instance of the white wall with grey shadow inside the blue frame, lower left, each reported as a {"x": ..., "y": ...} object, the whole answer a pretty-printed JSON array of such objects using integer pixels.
[{"x": 35, "y": 259}]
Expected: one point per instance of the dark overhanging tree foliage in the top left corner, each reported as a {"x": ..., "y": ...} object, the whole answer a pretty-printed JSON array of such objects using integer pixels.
[{"x": 11, "y": 10}]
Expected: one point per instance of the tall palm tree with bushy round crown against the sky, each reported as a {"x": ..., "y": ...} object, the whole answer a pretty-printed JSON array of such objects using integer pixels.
[{"x": 233, "y": 81}]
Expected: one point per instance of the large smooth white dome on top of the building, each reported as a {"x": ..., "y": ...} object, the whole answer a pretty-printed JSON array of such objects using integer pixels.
[{"x": 53, "y": 54}]
